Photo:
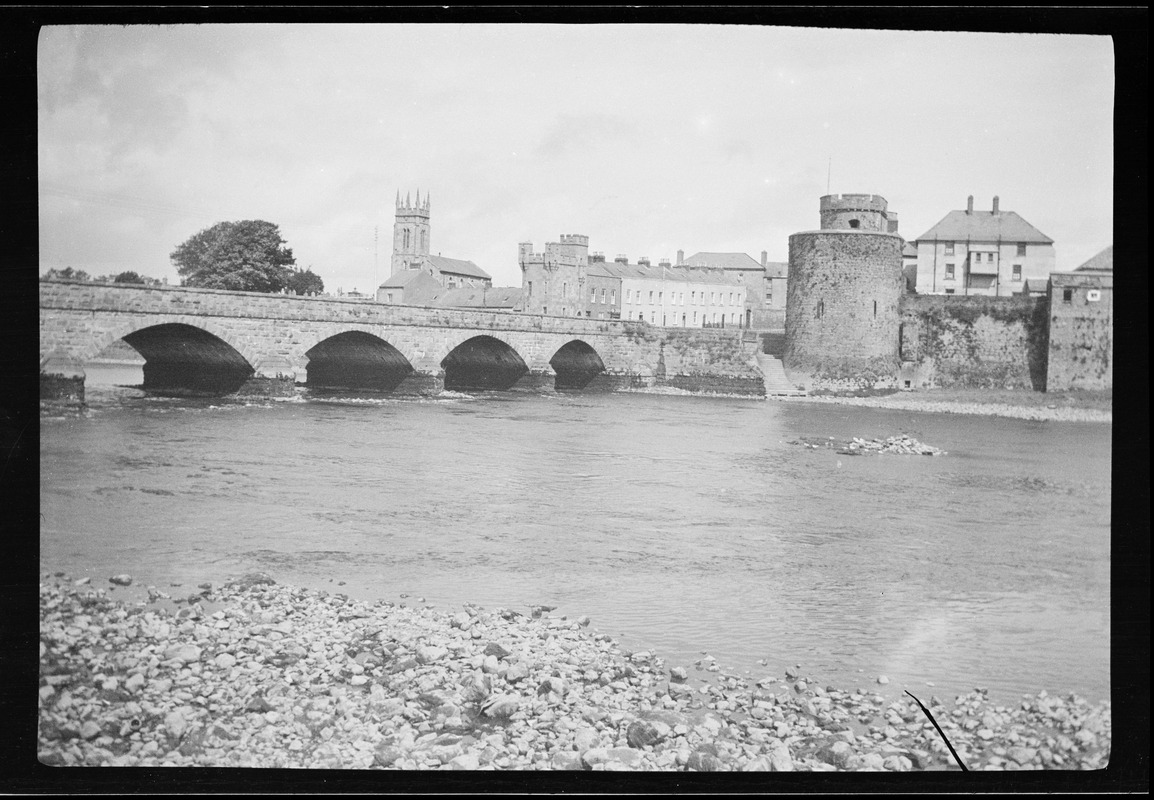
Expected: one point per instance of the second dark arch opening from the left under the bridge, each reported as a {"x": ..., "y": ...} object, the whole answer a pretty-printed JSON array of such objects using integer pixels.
[{"x": 356, "y": 360}]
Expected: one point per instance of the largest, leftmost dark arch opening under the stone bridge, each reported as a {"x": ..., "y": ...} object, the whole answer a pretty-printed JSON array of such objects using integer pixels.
[{"x": 184, "y": 360}]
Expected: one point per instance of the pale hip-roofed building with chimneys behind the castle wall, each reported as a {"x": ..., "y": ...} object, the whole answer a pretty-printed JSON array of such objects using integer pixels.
[{"x": 983, "y": 253}]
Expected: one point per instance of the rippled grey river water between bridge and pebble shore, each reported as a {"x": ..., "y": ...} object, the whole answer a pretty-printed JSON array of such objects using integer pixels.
[{"x": 685, "y": 526}]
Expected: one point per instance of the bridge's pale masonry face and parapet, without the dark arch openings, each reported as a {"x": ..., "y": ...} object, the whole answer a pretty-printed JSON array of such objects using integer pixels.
[{"x": 274, "y": 333}]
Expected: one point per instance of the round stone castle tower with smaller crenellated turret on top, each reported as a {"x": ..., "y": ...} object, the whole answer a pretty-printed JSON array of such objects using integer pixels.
[{"x": 842, "y": 308}]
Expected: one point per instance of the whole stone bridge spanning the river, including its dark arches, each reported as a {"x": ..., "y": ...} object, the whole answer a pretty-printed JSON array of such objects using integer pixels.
[{"x": 215, "y": 342}]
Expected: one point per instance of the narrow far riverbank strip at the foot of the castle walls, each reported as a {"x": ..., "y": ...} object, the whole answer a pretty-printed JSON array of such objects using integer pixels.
[{"x": 1067, "y": 407}]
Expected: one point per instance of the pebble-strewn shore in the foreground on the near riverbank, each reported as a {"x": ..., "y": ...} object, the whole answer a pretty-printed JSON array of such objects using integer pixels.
[{"x": 254, "y": 674}]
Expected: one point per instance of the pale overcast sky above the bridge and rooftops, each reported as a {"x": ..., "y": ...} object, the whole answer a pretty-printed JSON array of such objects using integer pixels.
[{"x": 649, "y": 139}]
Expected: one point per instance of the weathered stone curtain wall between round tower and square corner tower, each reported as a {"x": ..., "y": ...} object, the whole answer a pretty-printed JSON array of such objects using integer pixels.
[{"x": 976, "y": 342}]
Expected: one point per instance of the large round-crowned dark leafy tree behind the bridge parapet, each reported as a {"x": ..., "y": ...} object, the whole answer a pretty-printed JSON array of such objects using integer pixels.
[{"x": 248, "y": 257}]
